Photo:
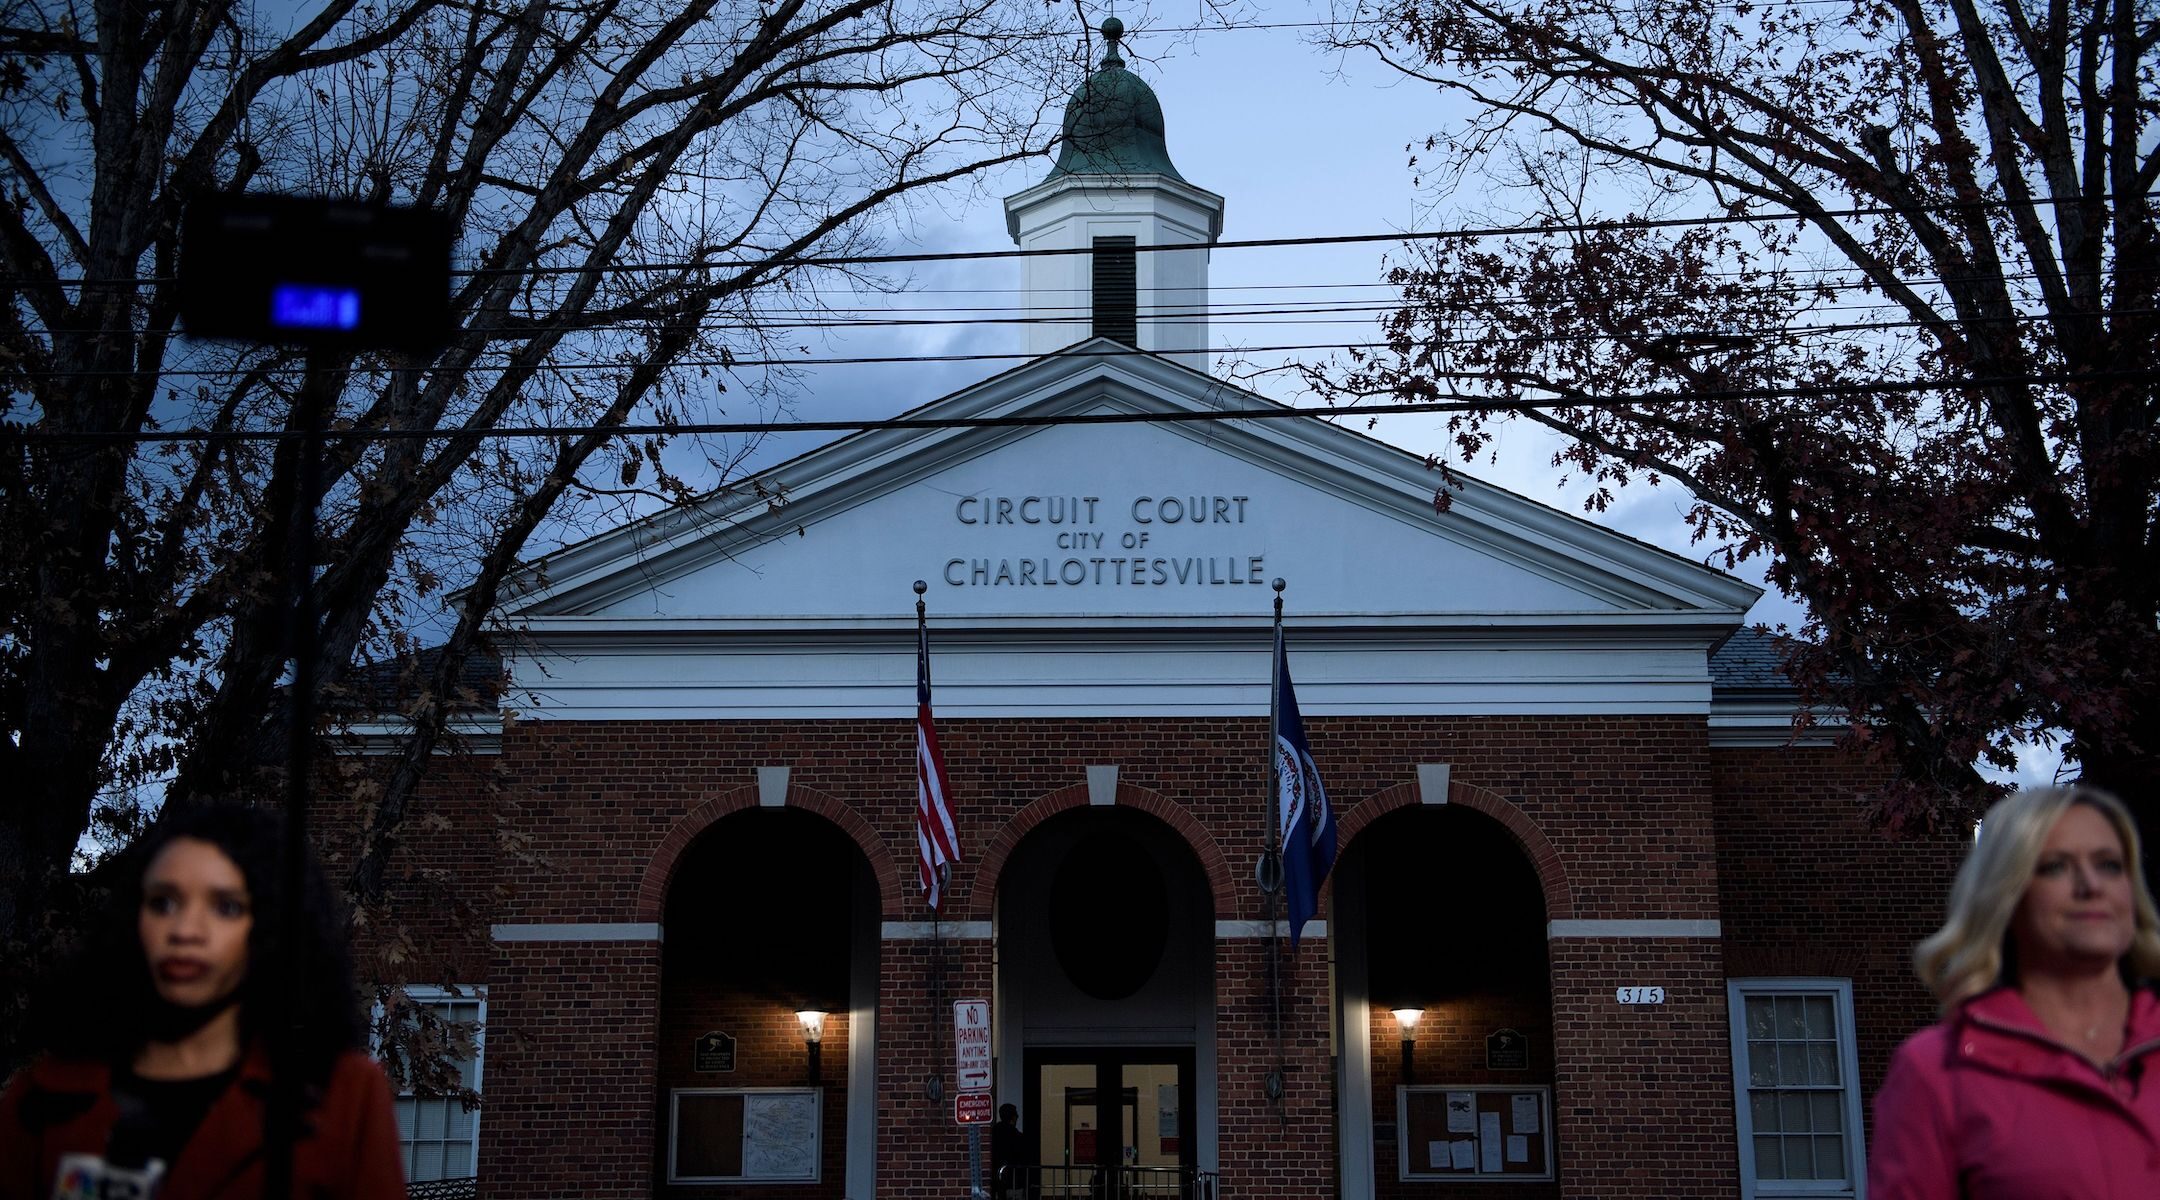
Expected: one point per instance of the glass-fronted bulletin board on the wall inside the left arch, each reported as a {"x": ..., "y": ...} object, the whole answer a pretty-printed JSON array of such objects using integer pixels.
[{"x": 744, "y": 1134}]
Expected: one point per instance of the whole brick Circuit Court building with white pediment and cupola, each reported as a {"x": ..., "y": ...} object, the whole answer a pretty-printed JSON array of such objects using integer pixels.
[{"x": 1649, "y": 942}]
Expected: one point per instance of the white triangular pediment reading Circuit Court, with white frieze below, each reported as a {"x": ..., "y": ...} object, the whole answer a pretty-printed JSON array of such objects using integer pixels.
[{"x": 1085, "y": 564}]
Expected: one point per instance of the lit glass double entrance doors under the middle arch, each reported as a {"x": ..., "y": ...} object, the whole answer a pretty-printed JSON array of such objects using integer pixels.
[{"x": 1111, "y": 1123}]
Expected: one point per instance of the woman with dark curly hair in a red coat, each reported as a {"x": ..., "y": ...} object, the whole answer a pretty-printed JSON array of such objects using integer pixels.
[{"x": 163, "y": 1065}]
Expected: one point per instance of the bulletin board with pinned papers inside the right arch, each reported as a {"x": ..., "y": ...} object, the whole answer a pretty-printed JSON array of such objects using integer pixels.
[{"x": 1474, "y": 1132}]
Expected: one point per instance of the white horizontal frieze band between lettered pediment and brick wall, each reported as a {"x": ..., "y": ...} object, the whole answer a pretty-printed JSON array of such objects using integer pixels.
[{"x": 1107, "y": 672}]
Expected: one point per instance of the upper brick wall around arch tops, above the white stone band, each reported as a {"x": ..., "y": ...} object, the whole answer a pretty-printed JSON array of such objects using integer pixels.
[{"x": 1621, "y": 797}]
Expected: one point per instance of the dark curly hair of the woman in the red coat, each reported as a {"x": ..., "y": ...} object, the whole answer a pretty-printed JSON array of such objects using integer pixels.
[{"x": 105, "y": 1011}]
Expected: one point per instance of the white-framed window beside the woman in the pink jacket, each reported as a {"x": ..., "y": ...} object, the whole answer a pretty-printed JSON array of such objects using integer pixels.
[{"x": 1796, "y": 1089}]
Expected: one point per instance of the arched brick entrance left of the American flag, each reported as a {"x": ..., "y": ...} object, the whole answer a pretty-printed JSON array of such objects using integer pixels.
[{"x": 768, "y": 1009}]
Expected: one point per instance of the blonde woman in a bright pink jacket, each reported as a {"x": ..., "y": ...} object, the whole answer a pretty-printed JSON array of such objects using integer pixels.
[{"x": 2044, "y": 1076}]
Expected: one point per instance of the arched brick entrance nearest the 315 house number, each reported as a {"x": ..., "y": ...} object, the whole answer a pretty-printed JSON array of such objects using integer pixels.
[{"x": 1442, "y": 916}]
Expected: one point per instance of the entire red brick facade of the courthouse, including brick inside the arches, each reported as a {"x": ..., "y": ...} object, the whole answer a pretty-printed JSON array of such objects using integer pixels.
[{"x": 1617, "y": 819}]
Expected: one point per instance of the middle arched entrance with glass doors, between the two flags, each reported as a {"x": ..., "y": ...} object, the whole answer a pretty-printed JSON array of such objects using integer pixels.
[{"x": 1107, "y": 1005}]
